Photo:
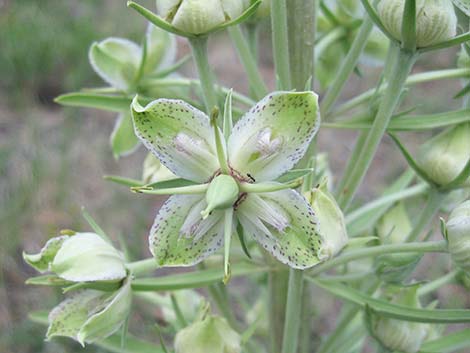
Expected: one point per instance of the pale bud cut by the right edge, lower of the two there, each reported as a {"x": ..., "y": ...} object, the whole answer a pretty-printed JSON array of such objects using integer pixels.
[{"x": 458, "y": 236}]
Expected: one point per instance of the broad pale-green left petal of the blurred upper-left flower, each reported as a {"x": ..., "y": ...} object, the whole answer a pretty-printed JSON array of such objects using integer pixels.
[{"x": 116, "y": 60}]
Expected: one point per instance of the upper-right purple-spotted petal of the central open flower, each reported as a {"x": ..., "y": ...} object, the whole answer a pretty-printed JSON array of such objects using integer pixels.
[{"x": 274, "y": 135}]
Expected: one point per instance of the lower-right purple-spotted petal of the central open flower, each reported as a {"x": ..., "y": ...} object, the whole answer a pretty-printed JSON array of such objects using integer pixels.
[{"x": 284, "y": 224}]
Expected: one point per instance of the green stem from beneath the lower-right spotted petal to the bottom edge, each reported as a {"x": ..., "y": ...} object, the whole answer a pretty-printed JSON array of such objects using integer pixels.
[{"x": 293, "y": 311}]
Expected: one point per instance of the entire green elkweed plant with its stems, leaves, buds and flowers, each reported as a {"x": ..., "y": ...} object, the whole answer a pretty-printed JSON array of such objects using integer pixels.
[{"x": 251, "y": 191}]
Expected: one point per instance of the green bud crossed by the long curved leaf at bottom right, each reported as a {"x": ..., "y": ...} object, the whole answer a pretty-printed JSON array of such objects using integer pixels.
[{"x": 398, "y": 335}]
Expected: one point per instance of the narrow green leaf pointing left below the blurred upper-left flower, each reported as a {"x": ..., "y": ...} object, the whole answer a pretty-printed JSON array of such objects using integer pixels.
[{"x": 114, "y": 103}]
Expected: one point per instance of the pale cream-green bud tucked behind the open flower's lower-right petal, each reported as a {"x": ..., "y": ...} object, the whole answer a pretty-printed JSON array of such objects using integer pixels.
[{"x": 331, "y": 227}]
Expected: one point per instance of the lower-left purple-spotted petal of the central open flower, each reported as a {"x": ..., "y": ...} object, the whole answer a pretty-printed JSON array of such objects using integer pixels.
[{"x": 179, "y": 235}]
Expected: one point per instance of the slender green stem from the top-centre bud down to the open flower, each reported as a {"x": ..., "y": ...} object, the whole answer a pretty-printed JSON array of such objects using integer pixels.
[{"x": 199, "y": 49}]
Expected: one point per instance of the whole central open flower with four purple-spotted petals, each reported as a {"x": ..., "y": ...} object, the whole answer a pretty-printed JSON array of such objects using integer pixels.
[{"x": 237, "y": 179}]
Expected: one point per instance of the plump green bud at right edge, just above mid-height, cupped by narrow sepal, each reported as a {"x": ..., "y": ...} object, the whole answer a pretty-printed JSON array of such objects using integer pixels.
[{"x": 444, "y": 157}]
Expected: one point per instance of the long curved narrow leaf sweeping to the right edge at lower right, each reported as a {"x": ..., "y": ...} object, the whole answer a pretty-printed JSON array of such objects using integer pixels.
[{"x": 393, "y": 310}]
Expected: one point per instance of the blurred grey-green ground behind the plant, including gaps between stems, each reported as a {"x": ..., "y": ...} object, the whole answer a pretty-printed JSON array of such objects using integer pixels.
[{"x": 52, "y": 158}]
